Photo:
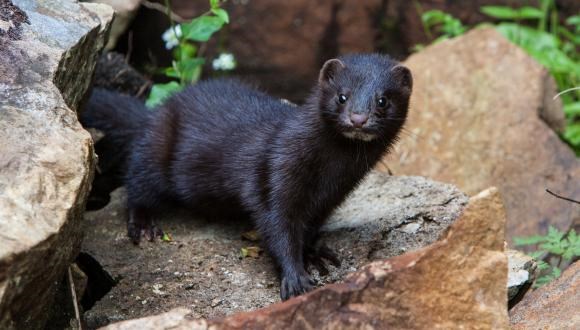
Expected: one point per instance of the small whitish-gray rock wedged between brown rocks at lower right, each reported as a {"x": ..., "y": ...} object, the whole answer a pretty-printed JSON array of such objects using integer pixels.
[{"x": 522, "y": 272}]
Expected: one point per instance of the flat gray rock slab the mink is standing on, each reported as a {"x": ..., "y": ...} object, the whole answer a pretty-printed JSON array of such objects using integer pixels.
[{"x": 201, "y": 269}]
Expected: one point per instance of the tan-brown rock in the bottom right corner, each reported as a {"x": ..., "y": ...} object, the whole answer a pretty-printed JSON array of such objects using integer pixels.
[{"x": 554, "y": 306}]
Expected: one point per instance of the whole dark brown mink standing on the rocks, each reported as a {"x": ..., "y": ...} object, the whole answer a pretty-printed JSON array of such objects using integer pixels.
[{"x": 221, "y": 145}]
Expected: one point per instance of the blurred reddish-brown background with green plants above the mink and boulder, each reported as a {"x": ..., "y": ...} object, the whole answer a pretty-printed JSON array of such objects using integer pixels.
[{"x": 263, "y": 37}]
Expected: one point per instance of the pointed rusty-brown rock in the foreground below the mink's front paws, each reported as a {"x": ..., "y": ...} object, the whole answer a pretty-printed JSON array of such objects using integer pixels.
[{"x": 457, "y": 282}]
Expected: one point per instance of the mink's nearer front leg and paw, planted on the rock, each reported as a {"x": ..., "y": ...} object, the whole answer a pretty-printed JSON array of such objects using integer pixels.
[{"x": 284, "y": 240}]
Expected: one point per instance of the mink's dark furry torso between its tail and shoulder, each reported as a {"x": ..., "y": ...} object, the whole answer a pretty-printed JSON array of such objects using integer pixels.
[{"x": 204, "y": 146}]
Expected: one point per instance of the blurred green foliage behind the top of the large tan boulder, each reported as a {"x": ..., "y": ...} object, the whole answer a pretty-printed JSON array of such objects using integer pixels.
[{"x": 538, "y": 31}]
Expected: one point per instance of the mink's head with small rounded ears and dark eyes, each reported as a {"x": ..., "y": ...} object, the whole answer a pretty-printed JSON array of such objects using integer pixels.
[{"x": 365, "y": 97}]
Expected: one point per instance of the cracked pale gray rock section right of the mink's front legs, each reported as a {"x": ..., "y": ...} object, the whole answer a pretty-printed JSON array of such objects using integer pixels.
[{"x": 389, "y": 215}]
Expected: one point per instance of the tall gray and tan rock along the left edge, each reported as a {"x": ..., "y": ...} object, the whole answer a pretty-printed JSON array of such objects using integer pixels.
[{"x": 46, "y": 158}]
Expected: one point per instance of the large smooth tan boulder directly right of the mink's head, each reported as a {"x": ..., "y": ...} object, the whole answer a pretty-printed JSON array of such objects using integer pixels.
[{"x": 475, "y": 122}]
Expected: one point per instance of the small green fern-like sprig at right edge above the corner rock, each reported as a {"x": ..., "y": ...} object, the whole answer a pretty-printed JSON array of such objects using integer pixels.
[{"x": 556, "y": 243}]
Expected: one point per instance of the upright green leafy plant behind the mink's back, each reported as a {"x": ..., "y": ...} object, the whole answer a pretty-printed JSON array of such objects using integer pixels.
[{"x": 185, "y": 39}]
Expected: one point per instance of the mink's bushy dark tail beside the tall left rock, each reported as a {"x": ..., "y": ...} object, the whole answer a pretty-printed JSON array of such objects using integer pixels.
[{"x": 121, "y": 118}]
